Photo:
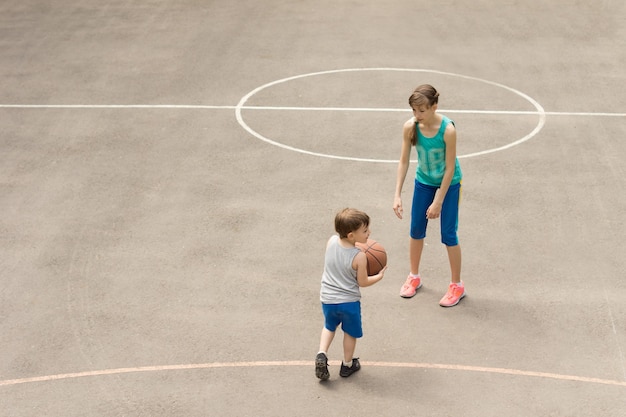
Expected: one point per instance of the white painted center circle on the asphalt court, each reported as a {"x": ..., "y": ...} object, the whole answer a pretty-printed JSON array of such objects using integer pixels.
[{"x": 540, "y": 112}]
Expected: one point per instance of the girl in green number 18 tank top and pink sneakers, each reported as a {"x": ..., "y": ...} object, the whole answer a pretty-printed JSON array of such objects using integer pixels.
[{"x": 437, "y": 188}]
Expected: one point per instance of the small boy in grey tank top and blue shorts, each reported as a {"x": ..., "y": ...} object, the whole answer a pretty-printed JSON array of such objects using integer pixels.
[{"x": 345, "y": 270}]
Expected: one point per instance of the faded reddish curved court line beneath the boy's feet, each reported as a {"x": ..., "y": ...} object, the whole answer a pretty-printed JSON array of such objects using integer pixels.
[{"x": 460, "y": 368}]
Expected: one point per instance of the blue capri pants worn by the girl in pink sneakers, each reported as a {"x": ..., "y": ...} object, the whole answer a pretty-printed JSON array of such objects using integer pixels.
[{"x": 423, "y": 197}]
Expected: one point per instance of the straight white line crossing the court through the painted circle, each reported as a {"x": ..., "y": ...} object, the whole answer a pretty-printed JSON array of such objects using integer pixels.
[{"x": 288, "y": 108}]
